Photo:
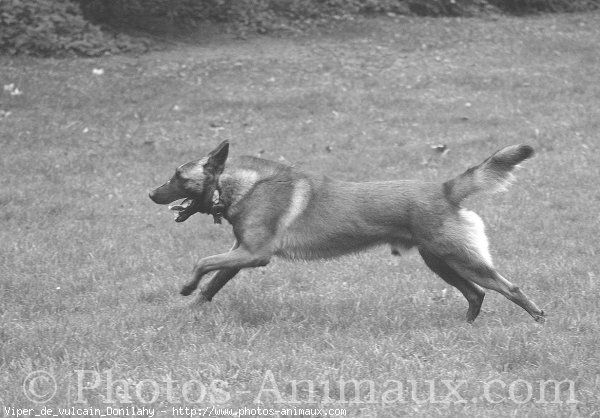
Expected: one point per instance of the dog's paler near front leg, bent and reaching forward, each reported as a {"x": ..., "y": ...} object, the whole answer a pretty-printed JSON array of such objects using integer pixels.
[{"x": 234, "y": 260}]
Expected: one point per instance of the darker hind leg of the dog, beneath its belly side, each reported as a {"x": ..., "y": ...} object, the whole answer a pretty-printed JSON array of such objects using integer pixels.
[{"x": 473, "y": 293}]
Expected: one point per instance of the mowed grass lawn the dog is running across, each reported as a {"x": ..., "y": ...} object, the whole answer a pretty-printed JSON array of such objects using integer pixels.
[{"x": 91, "y": 268}]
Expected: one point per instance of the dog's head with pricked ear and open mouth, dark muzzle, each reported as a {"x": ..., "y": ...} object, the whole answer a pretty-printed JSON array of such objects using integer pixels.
[{"x": 194, "y": 181}]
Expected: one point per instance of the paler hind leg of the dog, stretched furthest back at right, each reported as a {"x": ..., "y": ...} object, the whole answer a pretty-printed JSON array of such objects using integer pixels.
[{"x": 486, "y": 276}]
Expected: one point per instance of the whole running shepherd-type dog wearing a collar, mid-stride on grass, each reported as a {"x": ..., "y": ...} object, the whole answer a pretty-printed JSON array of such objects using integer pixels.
[{"x": 277, "y": 210}]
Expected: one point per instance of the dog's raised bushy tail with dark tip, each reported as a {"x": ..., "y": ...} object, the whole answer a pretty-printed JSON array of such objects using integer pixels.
[{"x": 492, "y": 175}]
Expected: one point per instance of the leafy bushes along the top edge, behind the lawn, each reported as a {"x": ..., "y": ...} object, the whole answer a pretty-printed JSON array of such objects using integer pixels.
[{"x": 59, "y": 27}]
